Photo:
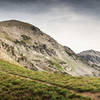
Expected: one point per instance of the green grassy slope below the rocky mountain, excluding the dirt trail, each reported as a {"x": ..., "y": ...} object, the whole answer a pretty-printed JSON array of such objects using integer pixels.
[{"x": 12, "y": 86}]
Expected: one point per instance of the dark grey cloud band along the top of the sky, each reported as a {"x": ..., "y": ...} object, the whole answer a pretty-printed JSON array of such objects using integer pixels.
[{"x": 89, "y": 7}]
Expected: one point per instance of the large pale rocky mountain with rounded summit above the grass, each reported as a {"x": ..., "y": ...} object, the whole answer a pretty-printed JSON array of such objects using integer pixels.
[{"x": 28, "y": 46}]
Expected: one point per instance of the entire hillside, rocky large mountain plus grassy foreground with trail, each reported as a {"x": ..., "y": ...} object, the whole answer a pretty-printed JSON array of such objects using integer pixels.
[{"x": 33, "y": 66}]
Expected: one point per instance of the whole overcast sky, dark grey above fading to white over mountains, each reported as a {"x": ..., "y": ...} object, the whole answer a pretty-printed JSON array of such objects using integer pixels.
[{"x": 73, "y": 23}]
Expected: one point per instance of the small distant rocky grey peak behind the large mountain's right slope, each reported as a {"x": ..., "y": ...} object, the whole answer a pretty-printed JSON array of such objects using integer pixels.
[{"x": 92, "y": 57}]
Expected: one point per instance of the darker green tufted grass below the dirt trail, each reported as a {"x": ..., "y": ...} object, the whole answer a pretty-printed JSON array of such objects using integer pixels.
[{"x": 14, "y": 88}]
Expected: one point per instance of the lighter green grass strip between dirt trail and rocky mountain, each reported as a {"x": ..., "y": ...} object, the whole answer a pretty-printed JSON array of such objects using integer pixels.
[{"x": 81, "y": 84}]
